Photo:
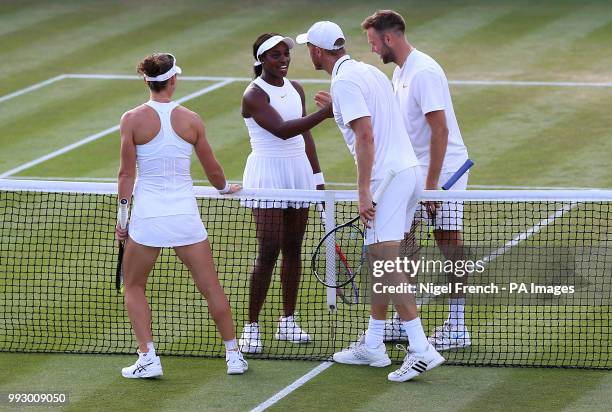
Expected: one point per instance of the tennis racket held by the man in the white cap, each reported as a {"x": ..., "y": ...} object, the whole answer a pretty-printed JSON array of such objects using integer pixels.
[{"x": 346, "y": 242}]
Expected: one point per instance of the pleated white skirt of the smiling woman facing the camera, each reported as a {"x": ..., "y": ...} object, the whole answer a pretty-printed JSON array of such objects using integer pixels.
[{"x": 270, "y": 172}]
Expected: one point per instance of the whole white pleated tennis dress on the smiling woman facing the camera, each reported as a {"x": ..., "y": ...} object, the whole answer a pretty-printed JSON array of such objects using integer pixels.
[{"x": 275, "y": 163}]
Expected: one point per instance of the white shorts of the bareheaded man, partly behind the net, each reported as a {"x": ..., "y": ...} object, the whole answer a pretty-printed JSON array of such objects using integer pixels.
[{"x": 449, "y": 216}]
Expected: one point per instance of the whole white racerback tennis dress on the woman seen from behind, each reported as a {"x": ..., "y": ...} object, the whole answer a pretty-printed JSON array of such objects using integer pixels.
[{"x": 165, "y": 212}]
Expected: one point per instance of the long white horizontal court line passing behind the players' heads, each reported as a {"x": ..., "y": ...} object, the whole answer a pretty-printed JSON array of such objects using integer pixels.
[{"x": 455, "y": 82}]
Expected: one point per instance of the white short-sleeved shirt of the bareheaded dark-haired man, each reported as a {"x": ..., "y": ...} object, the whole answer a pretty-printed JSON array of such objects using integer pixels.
[{"x": 421, "y": 87}]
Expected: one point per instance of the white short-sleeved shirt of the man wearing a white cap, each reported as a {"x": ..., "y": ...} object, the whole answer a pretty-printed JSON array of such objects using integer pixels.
[{"x": 359, "y": 90}]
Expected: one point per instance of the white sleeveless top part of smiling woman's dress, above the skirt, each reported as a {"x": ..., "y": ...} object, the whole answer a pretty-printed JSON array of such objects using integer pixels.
[{"x": 288, "y": 103}]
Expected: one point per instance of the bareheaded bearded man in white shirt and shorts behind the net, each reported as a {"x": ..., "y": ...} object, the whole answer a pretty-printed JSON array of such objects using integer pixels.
[{"x": 425, "y": 102}]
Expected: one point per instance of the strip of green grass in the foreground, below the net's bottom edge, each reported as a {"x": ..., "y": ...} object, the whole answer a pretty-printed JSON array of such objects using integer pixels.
[{"x": 93, "y": 382}]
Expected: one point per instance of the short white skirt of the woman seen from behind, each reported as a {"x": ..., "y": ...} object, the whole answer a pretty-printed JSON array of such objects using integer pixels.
[{"x": 167, "y": 231}]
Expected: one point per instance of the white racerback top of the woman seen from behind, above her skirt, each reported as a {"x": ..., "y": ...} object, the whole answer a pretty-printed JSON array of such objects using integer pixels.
[{"x": 164, "y": 186}]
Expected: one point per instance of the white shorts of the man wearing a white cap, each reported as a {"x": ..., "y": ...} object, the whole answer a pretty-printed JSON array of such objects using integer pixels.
[{"x": 396, "y": 207}]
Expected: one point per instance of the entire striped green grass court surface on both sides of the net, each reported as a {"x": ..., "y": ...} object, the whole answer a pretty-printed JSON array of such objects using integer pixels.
[{"x": 528, "y": 136}]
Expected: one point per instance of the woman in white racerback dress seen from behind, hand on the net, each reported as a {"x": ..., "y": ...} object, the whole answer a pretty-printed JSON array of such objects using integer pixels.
[{"x": 159, "y": 136}]
